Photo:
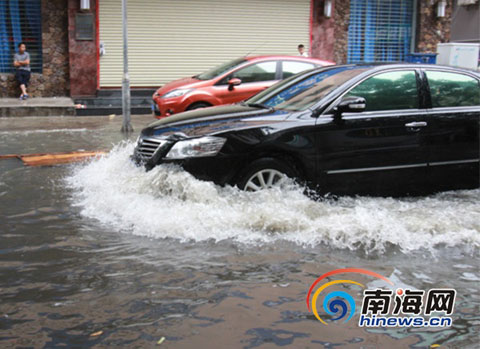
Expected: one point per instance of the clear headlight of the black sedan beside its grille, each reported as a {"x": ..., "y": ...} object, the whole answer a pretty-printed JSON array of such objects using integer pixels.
[{"x": 197, "y": 147}]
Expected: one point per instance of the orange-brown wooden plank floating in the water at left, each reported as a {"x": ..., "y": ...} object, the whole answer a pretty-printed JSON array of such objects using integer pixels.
[{"x": 50, "y": 159}]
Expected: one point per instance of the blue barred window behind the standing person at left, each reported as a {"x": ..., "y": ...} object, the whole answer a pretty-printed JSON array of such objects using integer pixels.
[{"x": 20, "y": 21}]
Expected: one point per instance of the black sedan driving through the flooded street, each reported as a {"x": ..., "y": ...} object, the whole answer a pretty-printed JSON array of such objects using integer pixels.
[{"x": 393, "y": 129}]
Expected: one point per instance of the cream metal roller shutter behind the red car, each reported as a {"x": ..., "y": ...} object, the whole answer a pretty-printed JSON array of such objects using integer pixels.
[{"x": 170, "y": 39}]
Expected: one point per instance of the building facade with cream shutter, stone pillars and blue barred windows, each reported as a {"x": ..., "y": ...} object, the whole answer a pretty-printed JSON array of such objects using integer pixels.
[{"x": 78, "y": 51}]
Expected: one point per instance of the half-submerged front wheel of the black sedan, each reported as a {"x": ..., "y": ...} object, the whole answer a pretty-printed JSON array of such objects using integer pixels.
[{"x": 270, "y": 170}]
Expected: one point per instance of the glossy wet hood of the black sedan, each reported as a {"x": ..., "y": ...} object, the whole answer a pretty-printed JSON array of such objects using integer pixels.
[{"x": 213, "y": 120}]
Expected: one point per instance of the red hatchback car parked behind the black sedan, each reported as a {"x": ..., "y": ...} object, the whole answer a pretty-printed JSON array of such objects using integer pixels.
[{"x": 228, "y": 83}]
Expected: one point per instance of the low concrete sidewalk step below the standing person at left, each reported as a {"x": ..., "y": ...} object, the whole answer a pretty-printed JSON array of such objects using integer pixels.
[{"x": 44, "y": 106}]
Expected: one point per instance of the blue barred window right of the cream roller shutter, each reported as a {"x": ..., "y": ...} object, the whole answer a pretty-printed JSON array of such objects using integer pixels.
[{"x": 380, "y": 30}]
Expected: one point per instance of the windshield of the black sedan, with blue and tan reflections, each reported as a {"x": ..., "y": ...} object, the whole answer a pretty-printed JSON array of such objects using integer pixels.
[{"x": 301, "y": 91}]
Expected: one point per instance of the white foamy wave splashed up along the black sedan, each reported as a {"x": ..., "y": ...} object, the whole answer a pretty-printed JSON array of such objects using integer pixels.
[{"x": 168, "y": 202}]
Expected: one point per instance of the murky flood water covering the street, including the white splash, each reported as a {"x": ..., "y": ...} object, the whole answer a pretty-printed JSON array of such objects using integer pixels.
[{"x": 103, "y": 254}]
